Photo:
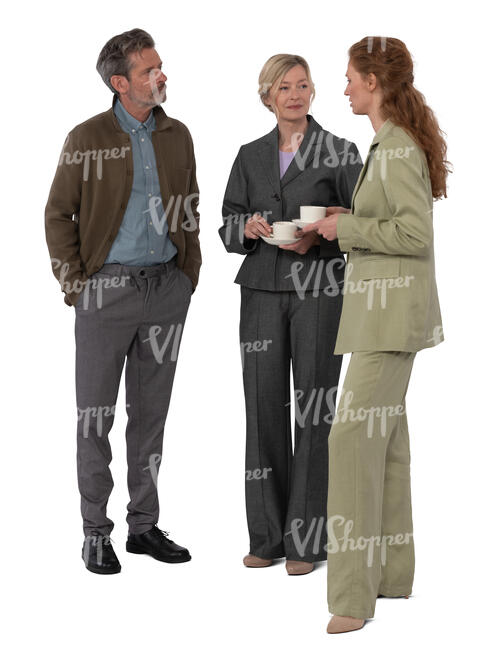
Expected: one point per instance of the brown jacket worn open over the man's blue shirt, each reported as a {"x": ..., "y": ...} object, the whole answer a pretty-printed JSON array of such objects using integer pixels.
[{"x": 91, "y": 189}]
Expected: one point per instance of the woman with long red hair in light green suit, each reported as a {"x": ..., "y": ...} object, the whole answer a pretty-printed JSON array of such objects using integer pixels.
[{"x": 390, "y": 312}]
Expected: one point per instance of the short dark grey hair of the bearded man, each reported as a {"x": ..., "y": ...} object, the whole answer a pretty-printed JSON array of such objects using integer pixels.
[{"x": 114, "y": 57}]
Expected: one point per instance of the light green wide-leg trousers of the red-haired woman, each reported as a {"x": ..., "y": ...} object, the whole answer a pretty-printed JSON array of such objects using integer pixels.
[{"x": 370, "y": 531}]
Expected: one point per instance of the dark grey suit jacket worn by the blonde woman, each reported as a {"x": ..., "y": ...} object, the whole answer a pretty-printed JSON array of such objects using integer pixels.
[{"x": 323, "y": 172}]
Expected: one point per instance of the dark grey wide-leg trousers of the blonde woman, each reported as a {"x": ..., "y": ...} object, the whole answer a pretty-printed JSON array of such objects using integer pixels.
[{"x": 286, "y": 490}]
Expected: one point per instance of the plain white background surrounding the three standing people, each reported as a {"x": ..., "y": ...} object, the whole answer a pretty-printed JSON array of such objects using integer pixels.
[{"x": 213, "y": 53}]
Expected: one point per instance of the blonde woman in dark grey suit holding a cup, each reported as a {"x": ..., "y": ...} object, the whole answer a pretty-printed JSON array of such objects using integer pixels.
[{"x": 290, "y": 307}]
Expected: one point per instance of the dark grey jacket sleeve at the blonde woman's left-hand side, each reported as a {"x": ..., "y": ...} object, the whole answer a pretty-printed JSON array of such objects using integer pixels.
[{"x": 236, "y": 212}]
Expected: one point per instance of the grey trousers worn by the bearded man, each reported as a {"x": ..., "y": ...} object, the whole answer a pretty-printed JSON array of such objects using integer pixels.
[{"x": 135, "y": 313}]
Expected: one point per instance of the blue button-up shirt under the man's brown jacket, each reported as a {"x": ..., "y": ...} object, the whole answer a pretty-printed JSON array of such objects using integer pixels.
[{"x": 143, "y": 238}]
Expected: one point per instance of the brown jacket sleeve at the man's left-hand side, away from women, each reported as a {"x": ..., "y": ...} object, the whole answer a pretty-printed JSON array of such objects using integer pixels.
[{"x": 61, "y": 223}]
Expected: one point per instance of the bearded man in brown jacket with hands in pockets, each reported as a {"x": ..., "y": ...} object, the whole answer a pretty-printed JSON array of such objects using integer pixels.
[{"x": 122, "y": 228}]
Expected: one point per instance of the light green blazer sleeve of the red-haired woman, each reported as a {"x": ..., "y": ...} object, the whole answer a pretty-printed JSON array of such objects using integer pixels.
[{"x": 409, "y": 231}]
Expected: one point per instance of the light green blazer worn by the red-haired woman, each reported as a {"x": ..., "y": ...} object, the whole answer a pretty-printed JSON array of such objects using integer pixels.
[{"x": 390, "y": 296}]
